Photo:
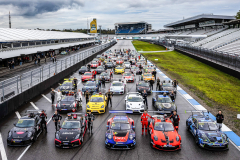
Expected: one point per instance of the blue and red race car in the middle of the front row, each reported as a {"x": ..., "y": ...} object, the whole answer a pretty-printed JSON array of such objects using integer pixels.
[{"x": 120, "y": 133}]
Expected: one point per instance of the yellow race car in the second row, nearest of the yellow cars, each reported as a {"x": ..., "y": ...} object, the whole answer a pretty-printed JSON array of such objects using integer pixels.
[{"x": 97, "y": 104}]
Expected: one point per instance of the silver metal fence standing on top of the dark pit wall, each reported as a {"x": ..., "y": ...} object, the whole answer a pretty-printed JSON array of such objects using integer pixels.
[{"x": 20, "y": 83}]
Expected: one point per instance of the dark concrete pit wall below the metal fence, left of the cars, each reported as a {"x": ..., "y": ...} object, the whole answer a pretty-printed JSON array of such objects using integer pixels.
[{"x": 17, "y": 101}]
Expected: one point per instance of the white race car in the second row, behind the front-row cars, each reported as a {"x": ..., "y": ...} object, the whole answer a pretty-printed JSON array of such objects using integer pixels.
[{"x": 134, "y": 102}]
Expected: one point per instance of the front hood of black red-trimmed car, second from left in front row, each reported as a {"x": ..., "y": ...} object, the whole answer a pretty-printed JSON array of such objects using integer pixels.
[{"x": 68, "y": 134}]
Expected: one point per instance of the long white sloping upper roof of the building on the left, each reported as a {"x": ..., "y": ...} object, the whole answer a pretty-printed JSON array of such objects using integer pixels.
[{"x": 17, "y": 35}]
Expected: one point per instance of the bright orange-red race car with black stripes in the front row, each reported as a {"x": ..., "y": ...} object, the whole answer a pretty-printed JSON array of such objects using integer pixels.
[{"x": 163, "y": 134}]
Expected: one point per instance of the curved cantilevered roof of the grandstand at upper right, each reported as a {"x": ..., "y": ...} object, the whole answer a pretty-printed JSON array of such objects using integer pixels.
[{"x": 198, "y": 18}]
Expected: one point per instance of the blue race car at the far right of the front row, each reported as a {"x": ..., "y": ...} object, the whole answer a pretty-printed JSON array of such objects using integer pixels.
[{"x": 206, "y": 132}]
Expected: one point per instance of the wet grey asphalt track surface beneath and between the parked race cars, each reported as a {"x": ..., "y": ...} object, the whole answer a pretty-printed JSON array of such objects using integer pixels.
[{"x": 94, "y": 147}]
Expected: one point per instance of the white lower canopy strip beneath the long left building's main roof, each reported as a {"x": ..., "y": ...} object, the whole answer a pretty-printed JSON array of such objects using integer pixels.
[{"x": 27, "y": 51}]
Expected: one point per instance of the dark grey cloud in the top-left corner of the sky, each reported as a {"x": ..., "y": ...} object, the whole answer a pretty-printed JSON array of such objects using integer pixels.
[{"x": 34, "y": 7}]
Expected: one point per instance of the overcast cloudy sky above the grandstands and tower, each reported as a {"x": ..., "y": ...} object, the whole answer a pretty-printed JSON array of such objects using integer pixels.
[{"x": 60, "y": 14}]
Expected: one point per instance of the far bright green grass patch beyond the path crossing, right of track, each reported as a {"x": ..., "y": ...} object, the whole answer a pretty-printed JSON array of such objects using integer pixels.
[{"x": 144, "y": 46}]
